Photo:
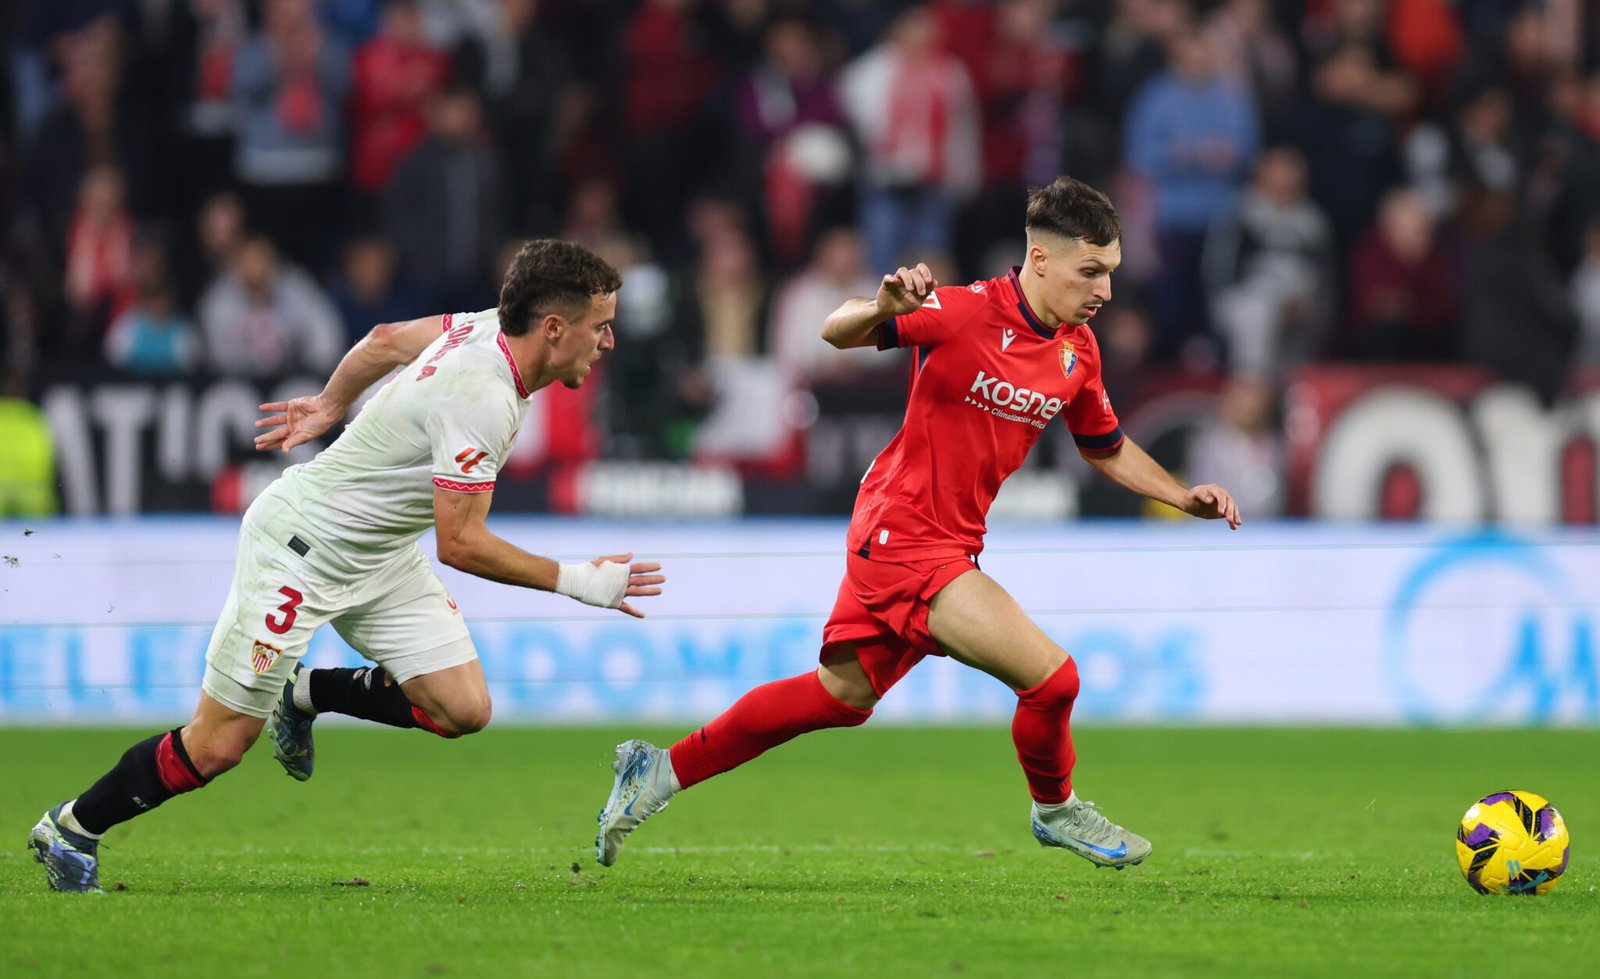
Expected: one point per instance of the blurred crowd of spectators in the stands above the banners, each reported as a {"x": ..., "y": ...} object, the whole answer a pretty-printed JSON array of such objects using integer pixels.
[{"x": 247, "y": 186}]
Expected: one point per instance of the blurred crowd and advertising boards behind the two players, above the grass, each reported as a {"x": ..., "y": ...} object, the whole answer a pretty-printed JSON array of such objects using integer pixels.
[{"x": 1361, "y": 289}]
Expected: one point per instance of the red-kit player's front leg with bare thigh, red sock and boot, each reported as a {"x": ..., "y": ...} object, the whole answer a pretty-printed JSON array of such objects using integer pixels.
[{"x": 977, "y": 623}]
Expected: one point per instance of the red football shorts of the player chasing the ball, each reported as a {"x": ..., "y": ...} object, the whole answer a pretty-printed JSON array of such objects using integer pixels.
[{"x": 882, "y": 609}]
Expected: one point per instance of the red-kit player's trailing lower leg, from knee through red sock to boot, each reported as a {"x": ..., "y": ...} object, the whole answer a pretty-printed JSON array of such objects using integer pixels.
[{"x": 836, "y": 695}]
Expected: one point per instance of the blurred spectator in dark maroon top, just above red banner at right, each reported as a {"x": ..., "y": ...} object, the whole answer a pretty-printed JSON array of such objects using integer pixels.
[{"x": 1404, "y": 292}]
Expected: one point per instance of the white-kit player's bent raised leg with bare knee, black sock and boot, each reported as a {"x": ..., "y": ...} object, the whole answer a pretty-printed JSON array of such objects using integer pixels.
[{"x": 449, "y": 703}]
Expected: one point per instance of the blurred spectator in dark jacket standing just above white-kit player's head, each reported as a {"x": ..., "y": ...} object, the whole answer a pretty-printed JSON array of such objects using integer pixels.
[{"x": 446, "y": 209}]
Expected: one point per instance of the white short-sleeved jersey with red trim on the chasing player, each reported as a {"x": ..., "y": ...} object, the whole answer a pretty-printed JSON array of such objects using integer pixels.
[{"x": 447, "y": 420}]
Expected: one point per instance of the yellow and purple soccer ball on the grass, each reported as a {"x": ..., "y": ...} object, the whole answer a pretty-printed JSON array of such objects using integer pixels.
[{"x": 1513, "y": 844}]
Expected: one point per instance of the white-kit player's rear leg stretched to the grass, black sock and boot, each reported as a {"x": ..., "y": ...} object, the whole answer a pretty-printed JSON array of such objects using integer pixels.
[{"x": 66, "y": 841}]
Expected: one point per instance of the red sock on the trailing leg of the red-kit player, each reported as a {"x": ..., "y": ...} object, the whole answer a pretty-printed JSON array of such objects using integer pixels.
[{"x": 762, "y": 719}]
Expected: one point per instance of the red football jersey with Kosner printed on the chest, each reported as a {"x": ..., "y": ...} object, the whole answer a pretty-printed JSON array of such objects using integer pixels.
[{"x": 986, "y": 380}]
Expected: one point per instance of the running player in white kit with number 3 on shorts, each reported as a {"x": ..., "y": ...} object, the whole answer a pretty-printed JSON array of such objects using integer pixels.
[{"x": 335, "y": 541}]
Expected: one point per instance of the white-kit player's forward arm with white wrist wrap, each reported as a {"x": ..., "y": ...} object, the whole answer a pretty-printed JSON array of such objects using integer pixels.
[{"x": 468, "y": 545}]
